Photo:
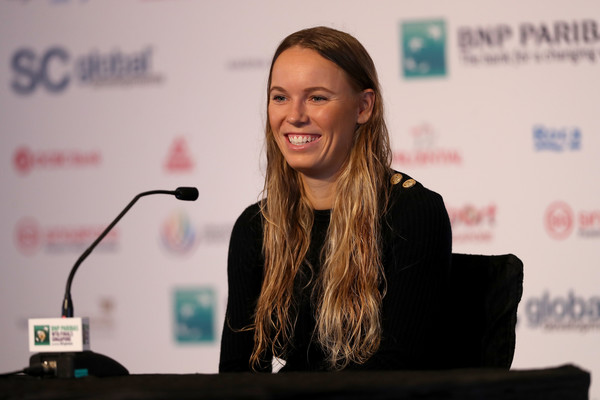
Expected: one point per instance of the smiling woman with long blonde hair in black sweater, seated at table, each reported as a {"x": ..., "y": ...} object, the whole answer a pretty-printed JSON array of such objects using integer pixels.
[{"x": 344, "y": 262}]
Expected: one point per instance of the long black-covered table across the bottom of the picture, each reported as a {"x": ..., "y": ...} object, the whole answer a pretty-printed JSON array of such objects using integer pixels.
[{"x": 565, "y": 382}]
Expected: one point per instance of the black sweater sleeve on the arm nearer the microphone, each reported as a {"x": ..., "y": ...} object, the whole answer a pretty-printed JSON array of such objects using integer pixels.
[{"x": 244, "y": 279}]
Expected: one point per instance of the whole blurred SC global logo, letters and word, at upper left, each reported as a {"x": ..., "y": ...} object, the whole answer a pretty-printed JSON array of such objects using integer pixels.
[{"x": 54, "y": 69}]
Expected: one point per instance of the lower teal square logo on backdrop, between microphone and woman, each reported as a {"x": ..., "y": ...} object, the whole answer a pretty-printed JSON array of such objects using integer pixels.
[{"x": 195, "y": 315}]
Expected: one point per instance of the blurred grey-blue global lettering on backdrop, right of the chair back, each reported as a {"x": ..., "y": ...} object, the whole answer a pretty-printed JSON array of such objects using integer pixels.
[{"x": 570, "y": 312}]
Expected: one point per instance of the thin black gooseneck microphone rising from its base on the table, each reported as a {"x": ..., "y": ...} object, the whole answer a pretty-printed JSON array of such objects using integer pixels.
[{"x": 181, "y": 193}]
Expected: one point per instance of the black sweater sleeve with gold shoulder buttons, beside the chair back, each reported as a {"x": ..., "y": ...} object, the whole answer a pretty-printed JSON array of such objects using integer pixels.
[{"x": 416, "y": 256}]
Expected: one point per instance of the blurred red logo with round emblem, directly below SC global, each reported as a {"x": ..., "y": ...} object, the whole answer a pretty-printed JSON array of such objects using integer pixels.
[{"x": 25, "y": 159}]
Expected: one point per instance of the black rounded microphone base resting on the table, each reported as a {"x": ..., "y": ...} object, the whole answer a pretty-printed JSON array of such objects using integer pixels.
[{"x": 77, "y": 364}]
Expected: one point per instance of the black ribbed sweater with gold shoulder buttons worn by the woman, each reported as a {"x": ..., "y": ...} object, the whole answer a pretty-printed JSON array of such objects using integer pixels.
[{"x": 416, "y": 256}]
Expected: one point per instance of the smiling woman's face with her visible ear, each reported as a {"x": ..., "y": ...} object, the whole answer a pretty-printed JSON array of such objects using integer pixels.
[{"x": 314, "y": 111}]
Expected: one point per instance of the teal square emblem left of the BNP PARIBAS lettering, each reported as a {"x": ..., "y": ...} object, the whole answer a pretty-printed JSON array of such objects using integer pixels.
[{"x": 423, "y": 48}]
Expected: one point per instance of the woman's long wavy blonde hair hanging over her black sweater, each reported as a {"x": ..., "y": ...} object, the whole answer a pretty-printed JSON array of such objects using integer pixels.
[{"x": 350, "y": 281}]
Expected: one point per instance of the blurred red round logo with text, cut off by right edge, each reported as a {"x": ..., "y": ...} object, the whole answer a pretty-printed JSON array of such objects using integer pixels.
[{"x": 560, "y": 221}]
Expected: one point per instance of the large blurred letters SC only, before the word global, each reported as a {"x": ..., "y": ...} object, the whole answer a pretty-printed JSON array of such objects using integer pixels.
[{"x": 48, "y": 70}]
